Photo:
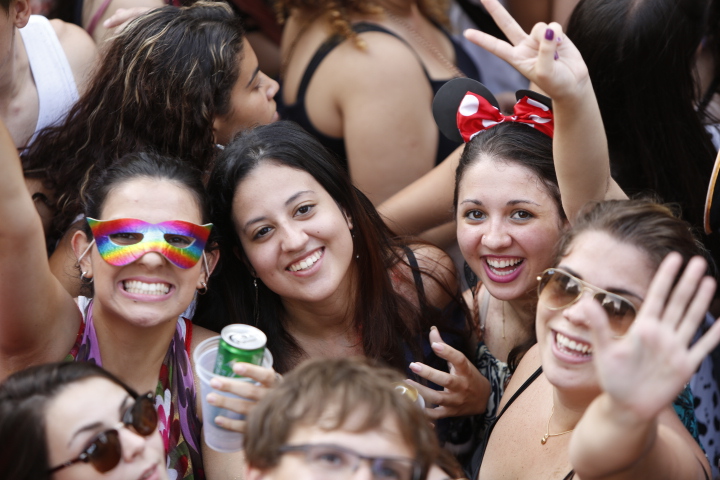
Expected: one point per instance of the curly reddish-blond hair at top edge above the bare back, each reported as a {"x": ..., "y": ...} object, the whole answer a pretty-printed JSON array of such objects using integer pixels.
[{"x": 339, "y": 12}]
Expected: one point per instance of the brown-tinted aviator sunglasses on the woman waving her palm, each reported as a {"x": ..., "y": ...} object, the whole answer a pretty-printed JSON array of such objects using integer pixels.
[{"x": 558, "y": 289}]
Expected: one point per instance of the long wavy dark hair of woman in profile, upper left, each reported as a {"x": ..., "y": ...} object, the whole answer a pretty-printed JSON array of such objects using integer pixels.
[{"x": 160, "y": 85}]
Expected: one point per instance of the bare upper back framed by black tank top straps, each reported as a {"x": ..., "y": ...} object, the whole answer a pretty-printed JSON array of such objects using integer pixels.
[{"x": 385, "y": 101}]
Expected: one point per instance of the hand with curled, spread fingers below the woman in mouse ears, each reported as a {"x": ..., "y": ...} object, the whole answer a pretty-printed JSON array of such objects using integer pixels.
[{"x": 466, "y": 391}]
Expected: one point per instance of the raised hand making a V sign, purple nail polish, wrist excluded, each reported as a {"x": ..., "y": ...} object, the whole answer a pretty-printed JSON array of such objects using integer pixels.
[{"x": 545, "y": 56}]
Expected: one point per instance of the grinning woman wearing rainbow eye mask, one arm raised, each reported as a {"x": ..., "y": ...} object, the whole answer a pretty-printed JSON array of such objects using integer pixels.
[{"x": 143, "y": 255}]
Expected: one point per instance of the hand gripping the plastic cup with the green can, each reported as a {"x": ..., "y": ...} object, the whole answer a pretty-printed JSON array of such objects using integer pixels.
[{"x": 250, "y": 392}]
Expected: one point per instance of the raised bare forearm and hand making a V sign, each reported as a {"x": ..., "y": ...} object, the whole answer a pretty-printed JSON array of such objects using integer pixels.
[{"x": 550, "y": 60}]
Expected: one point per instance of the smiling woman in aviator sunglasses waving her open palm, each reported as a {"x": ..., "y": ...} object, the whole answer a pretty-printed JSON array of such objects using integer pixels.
[{"x": 614, "y": 324}]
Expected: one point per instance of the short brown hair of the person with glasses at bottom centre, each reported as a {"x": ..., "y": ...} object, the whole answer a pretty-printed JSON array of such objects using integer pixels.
[{"x": 331, "y": 394}]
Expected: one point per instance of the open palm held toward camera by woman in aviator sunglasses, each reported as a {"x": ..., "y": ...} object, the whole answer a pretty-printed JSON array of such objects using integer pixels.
[{"x": 644, "y": 370}]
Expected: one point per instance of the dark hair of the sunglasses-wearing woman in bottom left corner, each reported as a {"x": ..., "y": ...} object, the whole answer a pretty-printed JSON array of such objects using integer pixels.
[{"x": 24, "y": 397}]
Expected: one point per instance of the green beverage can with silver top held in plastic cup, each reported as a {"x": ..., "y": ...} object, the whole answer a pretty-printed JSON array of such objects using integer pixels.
[{"x": 239, "y": 343}]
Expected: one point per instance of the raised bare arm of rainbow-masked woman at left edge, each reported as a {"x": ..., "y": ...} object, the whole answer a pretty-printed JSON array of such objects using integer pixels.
[{"x": 31, "y": 331}]
